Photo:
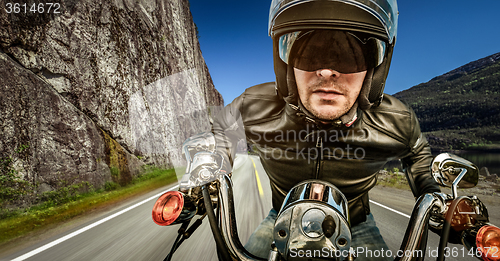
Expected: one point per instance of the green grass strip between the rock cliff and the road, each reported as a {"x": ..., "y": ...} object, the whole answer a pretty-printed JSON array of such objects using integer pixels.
[{"x": 46, "y": 215}]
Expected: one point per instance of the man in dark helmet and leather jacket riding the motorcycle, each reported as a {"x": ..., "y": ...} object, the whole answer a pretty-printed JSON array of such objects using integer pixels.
[{"x": 326, "y": 116}]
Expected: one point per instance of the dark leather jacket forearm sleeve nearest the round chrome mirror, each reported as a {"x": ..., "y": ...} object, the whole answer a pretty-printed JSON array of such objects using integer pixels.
[{"x": 416, "y": 163}]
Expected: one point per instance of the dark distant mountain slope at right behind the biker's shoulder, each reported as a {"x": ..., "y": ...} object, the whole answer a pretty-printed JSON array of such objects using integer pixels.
[{"x": 461, "y": 108}]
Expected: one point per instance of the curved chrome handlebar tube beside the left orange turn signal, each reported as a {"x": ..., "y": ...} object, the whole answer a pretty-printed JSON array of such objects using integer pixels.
[{"x": 227, "y": 222}]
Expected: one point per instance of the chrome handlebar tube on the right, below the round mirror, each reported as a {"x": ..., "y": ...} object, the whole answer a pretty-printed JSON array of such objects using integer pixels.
[{"x": 414, "y": 240}]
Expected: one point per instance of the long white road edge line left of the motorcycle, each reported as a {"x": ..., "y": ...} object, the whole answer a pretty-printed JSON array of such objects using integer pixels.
[{"x": 62, "y": 239}]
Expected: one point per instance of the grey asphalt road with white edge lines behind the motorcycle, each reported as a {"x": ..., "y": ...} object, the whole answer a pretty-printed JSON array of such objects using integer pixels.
[{"x": 128, "y": 232}]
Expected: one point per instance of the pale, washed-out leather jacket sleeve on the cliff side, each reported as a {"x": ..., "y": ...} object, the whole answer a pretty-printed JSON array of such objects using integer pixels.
[{"x": 228, "y": 130}]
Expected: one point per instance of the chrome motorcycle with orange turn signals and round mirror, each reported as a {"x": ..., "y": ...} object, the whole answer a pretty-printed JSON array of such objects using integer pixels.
[{"x": 315, "y": 217}]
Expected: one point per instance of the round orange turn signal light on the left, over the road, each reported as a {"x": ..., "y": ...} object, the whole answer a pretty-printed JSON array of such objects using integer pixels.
[{"x": 168, "y": 207}]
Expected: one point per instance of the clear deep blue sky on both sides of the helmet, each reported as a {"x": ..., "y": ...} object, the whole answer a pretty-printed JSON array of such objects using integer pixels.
[{"x": 434, "y": 37}]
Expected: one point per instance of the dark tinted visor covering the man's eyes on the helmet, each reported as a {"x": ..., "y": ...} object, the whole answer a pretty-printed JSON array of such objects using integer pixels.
[{"x": 342, "y": 51}]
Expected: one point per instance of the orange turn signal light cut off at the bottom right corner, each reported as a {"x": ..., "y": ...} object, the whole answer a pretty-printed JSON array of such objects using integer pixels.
[{"x": 488, "y": 243}]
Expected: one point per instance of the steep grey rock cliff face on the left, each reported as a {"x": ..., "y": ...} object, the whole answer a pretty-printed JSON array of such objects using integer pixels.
[{"x": 97, "y": 90}]
